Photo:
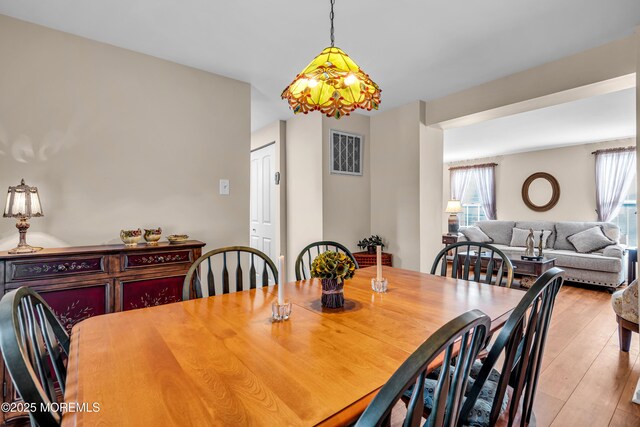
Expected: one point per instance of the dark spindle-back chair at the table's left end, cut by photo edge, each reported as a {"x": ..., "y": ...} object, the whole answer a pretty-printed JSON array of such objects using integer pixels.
[{"x": 34, "y": 346}]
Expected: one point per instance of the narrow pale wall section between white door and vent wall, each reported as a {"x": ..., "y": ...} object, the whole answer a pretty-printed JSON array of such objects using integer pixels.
[{"x": 304, "y": 184}]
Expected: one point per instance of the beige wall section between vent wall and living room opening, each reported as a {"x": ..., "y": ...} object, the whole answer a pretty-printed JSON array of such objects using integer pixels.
[{"x": 395, "y": 182}]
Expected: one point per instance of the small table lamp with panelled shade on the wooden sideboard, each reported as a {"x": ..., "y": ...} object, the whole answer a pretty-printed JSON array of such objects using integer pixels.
[{"x": 23, "y": 202}]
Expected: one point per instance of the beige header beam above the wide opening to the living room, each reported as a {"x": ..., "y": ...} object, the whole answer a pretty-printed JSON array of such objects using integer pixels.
[{"x": 573, "y": 77}]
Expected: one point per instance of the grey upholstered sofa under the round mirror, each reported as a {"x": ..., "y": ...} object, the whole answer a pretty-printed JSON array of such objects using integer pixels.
[{"x": 605, "y": 267}]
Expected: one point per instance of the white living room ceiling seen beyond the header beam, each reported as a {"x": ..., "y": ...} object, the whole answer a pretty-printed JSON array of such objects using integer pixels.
[{"x": 600, "y": 118}]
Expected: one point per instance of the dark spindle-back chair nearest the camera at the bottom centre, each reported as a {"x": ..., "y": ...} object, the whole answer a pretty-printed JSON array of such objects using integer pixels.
[{"x": 465, "y": 335}]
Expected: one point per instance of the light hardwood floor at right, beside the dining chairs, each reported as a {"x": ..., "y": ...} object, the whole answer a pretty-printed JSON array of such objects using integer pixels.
[{"x": 586, "y": 380}]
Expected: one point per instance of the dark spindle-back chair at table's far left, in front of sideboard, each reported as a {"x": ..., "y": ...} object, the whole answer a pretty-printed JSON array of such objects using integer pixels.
[{"x": 259, "y": 266}]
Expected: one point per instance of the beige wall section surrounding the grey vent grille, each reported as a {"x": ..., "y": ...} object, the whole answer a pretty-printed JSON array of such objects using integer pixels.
[{"x": 346, "y": 198}]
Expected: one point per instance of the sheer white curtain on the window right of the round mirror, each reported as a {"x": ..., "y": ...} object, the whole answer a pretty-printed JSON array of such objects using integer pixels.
[{"x": 614, "y": 174}]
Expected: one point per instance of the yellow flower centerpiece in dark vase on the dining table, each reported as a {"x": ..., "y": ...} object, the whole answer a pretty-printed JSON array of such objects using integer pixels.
[{"x": 333, "y": 268}]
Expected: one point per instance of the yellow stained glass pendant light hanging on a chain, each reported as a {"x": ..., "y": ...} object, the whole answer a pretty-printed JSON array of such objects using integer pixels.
[{"x": 333, "y": 84}]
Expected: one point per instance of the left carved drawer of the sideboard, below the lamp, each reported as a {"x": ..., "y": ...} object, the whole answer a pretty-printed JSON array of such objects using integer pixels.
[{"x": 21, "y": 270}]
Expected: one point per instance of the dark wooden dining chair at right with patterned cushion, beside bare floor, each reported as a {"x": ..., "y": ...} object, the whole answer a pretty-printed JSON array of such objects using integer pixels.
[{"x": 506, "y": 397}]
